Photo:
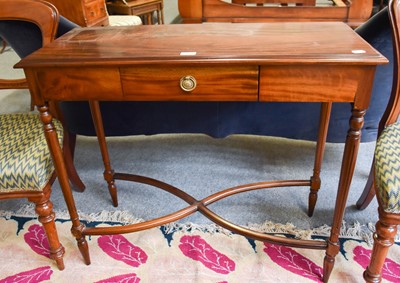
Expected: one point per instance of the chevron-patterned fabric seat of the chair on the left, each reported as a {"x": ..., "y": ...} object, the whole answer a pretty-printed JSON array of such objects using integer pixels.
[{"x": 25, "y": 161}]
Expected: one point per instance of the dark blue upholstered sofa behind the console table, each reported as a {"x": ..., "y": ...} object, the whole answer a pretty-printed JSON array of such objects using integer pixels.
[{"x": 219, "y": 119}]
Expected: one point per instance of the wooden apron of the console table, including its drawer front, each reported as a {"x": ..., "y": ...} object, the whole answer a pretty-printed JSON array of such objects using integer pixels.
[{"x": 285, "y": 83}]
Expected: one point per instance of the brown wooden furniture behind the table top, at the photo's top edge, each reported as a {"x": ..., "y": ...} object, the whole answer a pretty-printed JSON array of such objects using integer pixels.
[{"x": 352, "y": 12}]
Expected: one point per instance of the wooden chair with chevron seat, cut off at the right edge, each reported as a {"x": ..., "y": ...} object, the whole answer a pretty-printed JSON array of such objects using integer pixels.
[{"x": 387, "y": 165}]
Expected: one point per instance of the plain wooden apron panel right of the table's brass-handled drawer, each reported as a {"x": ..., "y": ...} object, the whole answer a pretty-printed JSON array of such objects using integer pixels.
[{"x": 311, "y": 83}]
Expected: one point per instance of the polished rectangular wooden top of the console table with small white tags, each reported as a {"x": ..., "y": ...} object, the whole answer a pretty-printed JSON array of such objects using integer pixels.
[{"x": 215, "y": 43}]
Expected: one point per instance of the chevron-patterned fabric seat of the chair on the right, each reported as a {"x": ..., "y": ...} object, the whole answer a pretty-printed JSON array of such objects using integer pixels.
[{"x": 387, "y": 168}]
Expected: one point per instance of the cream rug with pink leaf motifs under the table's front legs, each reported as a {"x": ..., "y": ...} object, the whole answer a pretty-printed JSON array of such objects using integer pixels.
[{"x": 158, "y": 255}]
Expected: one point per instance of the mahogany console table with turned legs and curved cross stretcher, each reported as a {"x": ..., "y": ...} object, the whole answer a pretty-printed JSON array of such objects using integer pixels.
[{"x": 302, "y": 62}]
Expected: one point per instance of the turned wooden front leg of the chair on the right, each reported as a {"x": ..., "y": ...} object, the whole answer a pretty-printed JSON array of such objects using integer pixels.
[{"x": 383, "y": 240}]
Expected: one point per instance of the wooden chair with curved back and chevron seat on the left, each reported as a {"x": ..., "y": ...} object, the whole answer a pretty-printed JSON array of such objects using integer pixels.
[{"x": 26, "y": 168}]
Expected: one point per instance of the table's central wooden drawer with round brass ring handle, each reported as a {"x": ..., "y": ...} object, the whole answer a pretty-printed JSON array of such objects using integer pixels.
[{"x": 195, "y": 83}]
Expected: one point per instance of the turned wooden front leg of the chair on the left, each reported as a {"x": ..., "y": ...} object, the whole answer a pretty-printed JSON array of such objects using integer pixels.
[{"x": 44, "y": 208}]
